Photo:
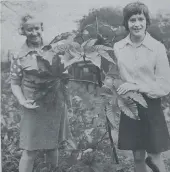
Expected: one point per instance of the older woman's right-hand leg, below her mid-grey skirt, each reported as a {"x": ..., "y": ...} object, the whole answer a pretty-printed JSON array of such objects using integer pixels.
[{"x": 52, "y": 157}]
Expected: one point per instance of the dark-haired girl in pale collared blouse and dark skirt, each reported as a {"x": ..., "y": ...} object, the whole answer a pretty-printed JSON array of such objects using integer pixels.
[{"x": 143, "y": 64}]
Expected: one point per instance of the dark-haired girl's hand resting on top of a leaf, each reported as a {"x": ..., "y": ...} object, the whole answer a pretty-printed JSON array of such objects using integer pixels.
[{"x": 124, "y": 88}]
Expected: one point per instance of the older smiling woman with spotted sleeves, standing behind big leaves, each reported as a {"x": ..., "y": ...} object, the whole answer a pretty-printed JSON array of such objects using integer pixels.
[{"x": 40, "y": 127}]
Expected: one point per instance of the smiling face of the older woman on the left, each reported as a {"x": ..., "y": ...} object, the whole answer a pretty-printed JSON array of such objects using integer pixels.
[{"x": 33, "y": 32}]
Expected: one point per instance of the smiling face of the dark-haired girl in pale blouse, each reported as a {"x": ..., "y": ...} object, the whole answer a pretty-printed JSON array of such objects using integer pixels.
[{"x": 137, "y": 25}]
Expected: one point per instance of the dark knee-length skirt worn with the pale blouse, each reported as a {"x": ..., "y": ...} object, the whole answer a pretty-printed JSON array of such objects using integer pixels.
[{"x": 150, "y": 133}]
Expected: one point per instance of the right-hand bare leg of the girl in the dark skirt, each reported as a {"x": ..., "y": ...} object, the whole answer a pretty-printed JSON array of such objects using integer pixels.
[{"x": 158, "y": 161}]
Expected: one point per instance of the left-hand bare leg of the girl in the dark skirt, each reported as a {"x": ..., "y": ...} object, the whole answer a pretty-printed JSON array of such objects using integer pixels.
[{"x": 139, "y": 160}]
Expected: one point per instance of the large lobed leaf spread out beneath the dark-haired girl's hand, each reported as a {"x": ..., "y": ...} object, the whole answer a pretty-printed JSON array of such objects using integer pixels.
[{"x": 115, "y": 103}]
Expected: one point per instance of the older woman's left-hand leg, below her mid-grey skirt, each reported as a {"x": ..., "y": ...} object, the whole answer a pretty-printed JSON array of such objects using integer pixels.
[{"x": 27, "y": 161}]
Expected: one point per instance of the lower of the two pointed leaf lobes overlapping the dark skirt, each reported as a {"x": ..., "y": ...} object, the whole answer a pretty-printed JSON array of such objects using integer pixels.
[{"x": 128, "y": 107}]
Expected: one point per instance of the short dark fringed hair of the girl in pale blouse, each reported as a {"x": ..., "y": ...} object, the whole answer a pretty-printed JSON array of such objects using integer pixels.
[{"x": 133, "y": 9}]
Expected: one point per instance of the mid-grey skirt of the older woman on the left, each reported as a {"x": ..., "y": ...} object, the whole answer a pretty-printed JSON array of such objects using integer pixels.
[{"x": 43, "y": 127}]
